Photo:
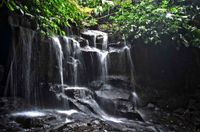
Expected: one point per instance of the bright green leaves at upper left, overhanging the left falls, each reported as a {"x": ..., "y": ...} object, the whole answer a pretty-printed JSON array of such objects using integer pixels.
[{"x": 50, "y": 15}]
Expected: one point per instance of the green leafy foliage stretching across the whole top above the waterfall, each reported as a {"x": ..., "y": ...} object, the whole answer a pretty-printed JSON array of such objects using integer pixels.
[{"x": 149, "y": 20}]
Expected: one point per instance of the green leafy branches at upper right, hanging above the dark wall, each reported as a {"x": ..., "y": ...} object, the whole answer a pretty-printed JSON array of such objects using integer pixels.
[{"x": 151, "y": 21}]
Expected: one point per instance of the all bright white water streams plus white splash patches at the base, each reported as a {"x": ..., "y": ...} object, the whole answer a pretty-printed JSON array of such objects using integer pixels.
[{"x": 74, "y": 59}]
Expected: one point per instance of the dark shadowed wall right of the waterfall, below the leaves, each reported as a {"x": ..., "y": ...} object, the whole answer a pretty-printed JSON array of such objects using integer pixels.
[{"x": 166, "y": 74}]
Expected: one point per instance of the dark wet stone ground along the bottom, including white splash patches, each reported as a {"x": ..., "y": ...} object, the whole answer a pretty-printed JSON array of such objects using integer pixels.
[{"x": 14, "y": 118}]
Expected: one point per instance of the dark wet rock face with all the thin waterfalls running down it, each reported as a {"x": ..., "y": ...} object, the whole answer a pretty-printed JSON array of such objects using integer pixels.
[{"x": 51, "y": 72}]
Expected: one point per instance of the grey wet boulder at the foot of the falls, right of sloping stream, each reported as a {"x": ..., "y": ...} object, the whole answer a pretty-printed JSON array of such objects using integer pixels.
[{"x": 116, "y": 102}]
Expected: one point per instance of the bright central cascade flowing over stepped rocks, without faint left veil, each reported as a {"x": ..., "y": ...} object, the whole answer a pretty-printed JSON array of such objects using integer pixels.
[{"x": 82, "y": 97}]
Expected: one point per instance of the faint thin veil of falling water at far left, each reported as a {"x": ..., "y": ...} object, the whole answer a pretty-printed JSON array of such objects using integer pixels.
[{"x": 20, "y": 69}]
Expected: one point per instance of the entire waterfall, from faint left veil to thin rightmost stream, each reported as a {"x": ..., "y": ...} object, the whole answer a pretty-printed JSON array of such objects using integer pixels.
[{"x": 71, "y": 70}]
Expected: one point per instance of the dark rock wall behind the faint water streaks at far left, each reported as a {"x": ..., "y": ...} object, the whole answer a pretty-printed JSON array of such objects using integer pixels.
[{"x": 12, "y": 51}]
